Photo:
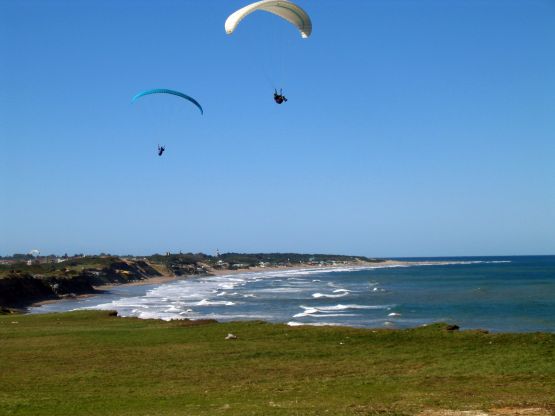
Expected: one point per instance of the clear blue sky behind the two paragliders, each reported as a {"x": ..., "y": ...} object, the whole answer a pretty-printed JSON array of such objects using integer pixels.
[{"x": 413, "y": 128}]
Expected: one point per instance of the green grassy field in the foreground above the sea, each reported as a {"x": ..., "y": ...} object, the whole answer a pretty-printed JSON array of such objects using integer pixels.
[{"x": 90, "y": 363}]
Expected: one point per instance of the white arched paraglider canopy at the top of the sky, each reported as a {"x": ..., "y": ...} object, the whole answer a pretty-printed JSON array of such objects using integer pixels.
[{"x": 282, "y": 8}]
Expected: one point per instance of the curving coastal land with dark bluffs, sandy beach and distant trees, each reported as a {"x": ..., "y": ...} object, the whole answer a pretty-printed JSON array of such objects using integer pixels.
[{"x": 24, "y": 286}]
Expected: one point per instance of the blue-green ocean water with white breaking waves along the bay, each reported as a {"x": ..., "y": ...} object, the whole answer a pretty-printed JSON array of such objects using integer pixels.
[{"x": 507, "y": 294}]
